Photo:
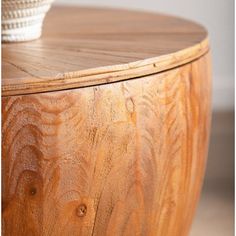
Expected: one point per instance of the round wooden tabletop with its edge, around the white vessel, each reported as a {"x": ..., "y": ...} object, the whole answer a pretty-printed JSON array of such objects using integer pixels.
[{"x": 91, "y": 46}]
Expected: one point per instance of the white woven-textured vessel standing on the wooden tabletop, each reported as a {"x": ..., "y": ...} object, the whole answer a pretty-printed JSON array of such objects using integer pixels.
[{"x": 22, "y": 19}]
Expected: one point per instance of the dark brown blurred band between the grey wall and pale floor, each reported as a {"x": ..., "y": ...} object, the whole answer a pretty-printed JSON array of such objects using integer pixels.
[{"x": 220, "y": 166}]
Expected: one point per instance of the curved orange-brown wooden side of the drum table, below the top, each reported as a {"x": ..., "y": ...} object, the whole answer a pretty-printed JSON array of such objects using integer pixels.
[{"x": 119, "y": 159}]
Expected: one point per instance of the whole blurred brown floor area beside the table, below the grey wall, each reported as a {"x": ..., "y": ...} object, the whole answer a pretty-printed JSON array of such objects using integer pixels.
[{"x": 215, "y": 212}]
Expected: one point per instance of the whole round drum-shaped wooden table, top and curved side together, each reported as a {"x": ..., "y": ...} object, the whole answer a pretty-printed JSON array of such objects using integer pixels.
[{"x": 105, "y": 125}]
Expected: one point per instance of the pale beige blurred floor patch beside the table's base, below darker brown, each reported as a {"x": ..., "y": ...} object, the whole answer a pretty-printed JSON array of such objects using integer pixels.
[{"x": 215, "y": 214}]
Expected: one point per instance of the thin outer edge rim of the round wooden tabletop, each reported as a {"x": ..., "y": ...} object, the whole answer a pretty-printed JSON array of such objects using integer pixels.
[{"x": 112, "y": 73}]
